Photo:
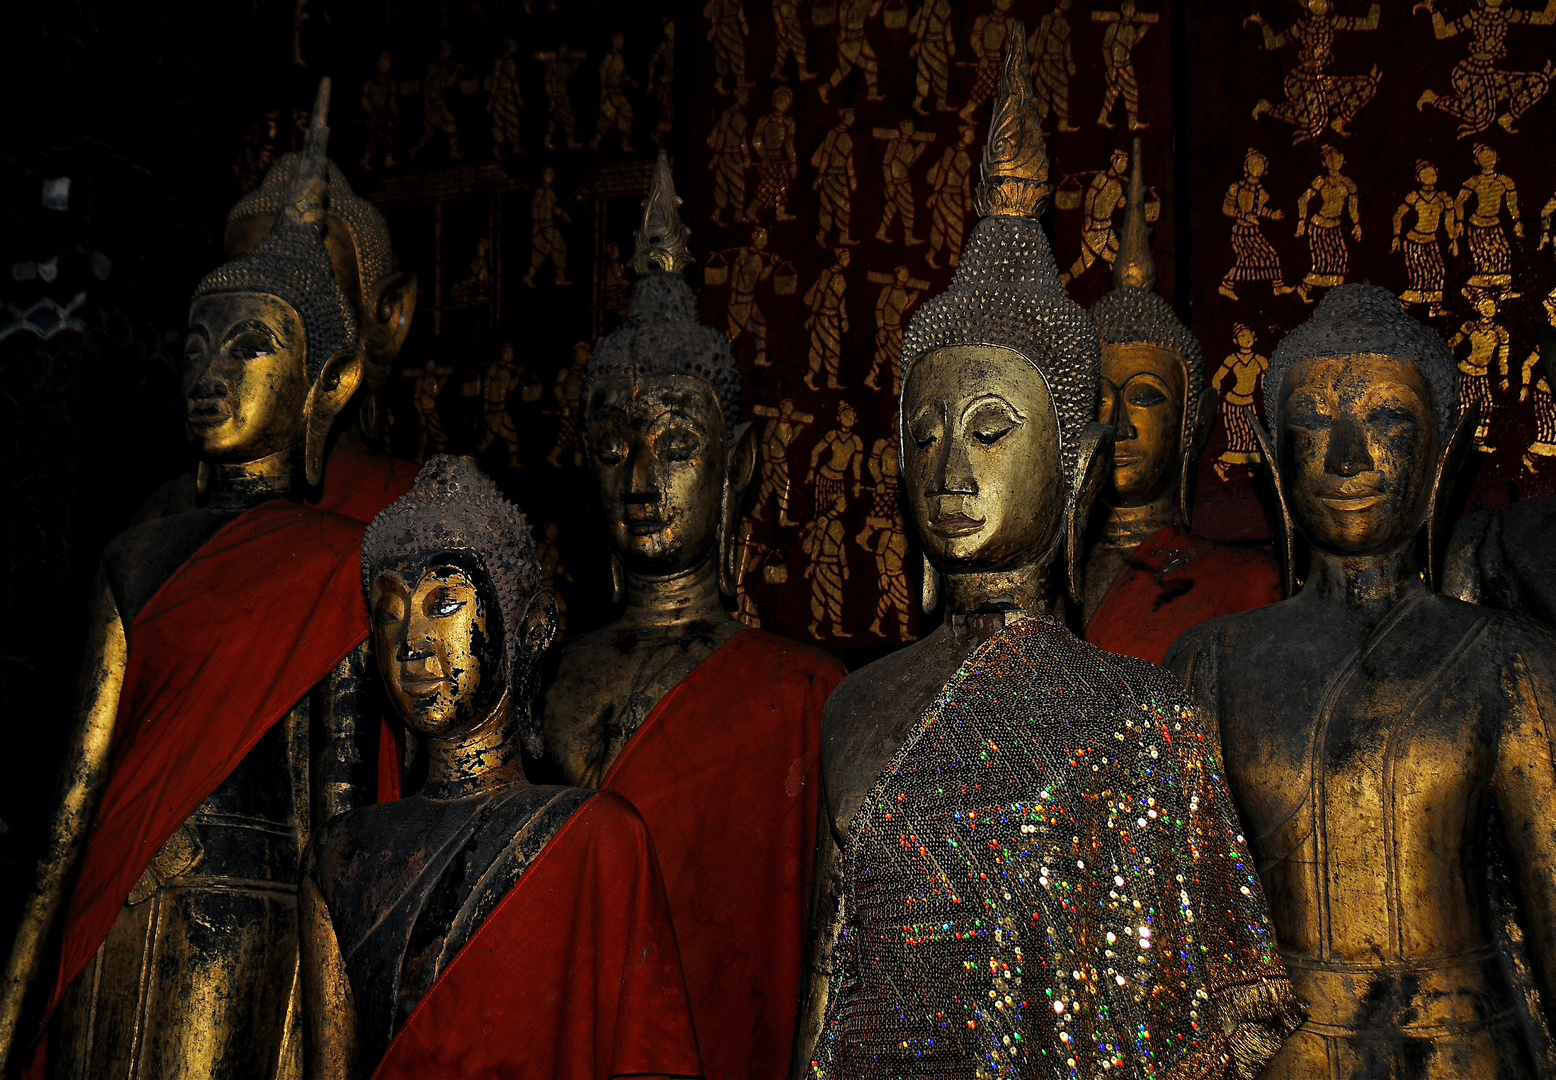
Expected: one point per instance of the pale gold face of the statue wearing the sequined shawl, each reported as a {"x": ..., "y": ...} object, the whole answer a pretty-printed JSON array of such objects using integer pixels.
[{"x": 983, "y": 471}]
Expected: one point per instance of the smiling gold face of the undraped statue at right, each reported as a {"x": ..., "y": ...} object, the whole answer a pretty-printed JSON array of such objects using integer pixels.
[{"x": 1358, "y": 452}]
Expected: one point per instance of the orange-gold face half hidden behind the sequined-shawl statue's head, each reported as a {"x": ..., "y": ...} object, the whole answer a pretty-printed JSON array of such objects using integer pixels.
[{"x": 1149, "y": 421}]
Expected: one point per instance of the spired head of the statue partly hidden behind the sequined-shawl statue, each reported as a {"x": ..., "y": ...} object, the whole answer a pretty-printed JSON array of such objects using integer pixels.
[{"x": 1154, "y": 373}]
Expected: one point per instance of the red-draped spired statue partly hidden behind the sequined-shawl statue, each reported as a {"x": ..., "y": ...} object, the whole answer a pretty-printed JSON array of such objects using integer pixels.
[{"x": 1148, "y": 580}]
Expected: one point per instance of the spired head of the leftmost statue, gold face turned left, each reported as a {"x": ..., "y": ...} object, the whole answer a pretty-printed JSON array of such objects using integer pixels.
[{"x": 273, "y": 352}]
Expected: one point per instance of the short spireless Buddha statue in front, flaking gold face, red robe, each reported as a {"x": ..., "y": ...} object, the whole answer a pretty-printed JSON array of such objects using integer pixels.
[{"x": 482, "y": 899}]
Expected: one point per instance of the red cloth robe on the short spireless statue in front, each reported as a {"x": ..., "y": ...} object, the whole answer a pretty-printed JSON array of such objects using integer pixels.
[{"x": 573, "y": 977}]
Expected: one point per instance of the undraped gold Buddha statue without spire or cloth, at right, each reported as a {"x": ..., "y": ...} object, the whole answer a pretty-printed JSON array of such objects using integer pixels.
[{"x": 1372, "y": 729}]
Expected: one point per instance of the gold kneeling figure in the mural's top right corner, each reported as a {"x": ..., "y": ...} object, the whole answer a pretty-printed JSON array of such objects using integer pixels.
[{"x": 1482, "y": 93}]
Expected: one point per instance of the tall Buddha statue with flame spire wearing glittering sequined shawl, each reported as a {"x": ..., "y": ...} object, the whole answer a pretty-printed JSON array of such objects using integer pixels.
[{"x": 1029, "y": 866}]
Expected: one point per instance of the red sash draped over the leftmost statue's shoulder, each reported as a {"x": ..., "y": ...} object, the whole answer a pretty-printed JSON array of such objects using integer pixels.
[{"x": 225, "y": 650}]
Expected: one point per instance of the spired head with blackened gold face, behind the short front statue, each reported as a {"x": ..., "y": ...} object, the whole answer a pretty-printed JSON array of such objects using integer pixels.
[{"x": 662, "y": 404}]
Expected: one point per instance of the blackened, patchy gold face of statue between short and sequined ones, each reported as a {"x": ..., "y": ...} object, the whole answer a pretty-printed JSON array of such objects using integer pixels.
[{"x": 657, "y": 446}]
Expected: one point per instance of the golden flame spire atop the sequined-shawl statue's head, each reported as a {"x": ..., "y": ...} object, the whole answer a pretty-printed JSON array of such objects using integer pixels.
[{"x": 1015, "y": 158}]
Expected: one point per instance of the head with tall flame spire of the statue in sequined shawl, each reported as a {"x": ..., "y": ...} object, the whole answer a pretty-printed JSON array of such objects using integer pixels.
[{"x": 1000, "y": 446}]
